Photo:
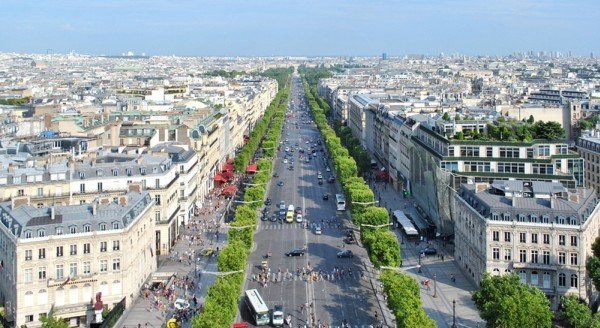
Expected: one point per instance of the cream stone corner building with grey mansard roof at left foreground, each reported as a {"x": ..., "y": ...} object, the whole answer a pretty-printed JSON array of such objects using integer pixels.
[{"x": 59, "y": 257}]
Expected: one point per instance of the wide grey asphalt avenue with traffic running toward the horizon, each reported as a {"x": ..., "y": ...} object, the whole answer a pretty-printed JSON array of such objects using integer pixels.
[{"x": 329, "y": 301}]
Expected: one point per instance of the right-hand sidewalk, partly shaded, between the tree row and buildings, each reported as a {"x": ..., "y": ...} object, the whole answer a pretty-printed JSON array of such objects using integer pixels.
[{"x": 439, "y": 308}]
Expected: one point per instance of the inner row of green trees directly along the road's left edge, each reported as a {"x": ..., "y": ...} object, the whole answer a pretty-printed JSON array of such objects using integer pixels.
[{"x": 221, "y": 303}]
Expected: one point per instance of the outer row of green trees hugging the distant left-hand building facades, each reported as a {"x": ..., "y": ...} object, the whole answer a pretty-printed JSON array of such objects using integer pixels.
[{"x": 247, "y": 153}]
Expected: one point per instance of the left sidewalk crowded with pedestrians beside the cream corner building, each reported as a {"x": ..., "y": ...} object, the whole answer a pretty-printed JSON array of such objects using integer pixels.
[{"x": 185, "y": 262}]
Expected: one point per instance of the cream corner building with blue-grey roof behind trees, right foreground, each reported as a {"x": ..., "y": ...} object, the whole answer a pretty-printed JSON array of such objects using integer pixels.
[{"x": 541, "y": 231}]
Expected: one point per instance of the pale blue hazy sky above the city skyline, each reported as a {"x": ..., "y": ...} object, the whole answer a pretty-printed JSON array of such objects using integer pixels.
[{"x": 302, "y": 27}]
